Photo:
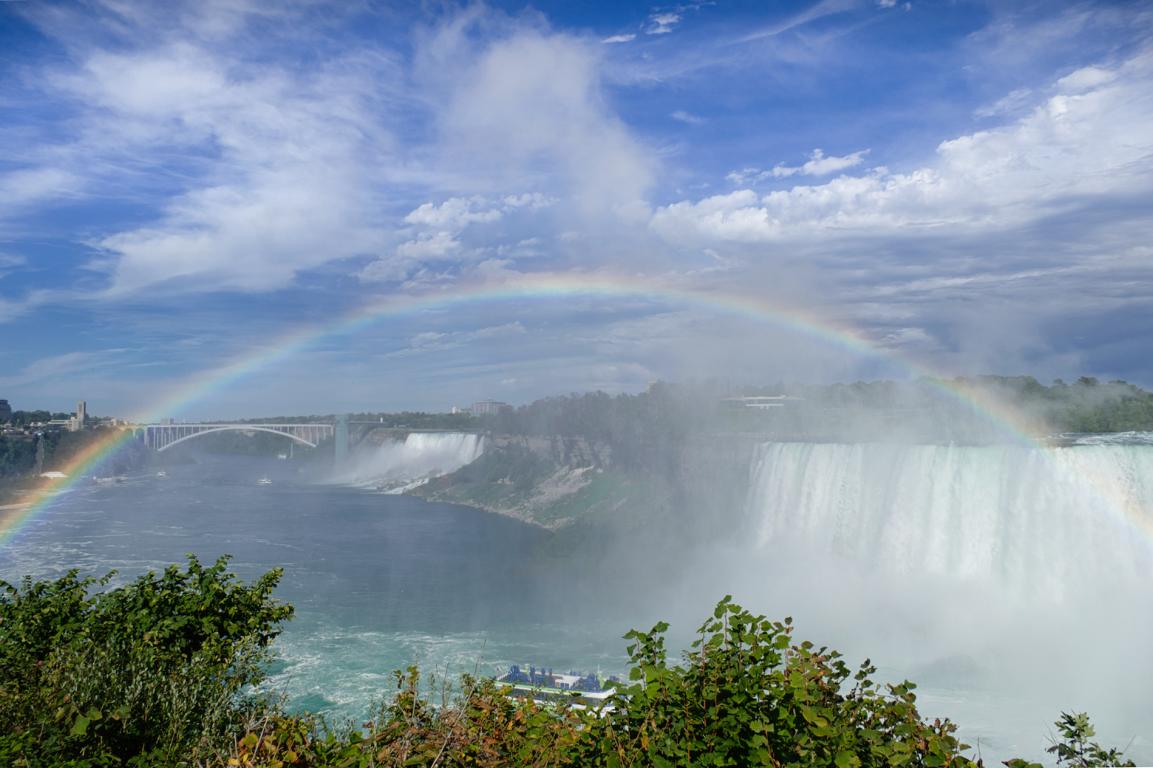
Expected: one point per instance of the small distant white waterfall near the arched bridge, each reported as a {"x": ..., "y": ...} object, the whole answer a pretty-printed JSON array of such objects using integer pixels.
[{"x": 401, "y": 465}]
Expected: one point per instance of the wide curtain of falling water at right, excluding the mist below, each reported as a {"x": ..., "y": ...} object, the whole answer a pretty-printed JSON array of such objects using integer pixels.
[{"x": 1038, "y": 522}]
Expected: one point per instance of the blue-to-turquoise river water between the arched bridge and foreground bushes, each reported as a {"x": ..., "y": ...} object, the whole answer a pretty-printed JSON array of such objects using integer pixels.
[{"x": 379, "y": 582}]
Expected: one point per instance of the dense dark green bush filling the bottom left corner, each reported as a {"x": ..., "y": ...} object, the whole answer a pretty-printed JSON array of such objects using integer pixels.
[{"x": 147, "y": 674}]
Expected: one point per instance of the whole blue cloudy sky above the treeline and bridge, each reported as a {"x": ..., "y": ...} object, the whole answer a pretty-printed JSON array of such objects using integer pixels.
[{"x": 967, "y": 185}]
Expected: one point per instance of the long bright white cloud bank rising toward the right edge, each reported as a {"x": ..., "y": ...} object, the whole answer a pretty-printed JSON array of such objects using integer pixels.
[{"x": 1074, "y": 147}]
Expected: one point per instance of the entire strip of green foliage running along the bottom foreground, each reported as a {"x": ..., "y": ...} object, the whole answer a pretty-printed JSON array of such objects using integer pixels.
[{"x": 161, "y": 673}]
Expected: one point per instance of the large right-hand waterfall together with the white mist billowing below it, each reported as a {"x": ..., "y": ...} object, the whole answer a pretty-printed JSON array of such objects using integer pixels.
[{"x": 1014, "y": 582}]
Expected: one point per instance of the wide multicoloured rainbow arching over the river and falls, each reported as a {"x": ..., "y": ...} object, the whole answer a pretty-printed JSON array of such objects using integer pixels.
[{"x": 540, "y": 287}]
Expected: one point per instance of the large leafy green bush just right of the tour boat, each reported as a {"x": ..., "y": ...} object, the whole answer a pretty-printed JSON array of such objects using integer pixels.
[{"x": 748, "y": 696}]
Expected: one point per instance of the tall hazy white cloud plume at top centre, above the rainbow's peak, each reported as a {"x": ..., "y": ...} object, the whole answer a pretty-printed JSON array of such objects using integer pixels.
[{"x": 527, "y": 111}]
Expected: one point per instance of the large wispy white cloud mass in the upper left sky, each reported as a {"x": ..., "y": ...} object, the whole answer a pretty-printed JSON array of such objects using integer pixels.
[{"x": 278, "y": 163}]
